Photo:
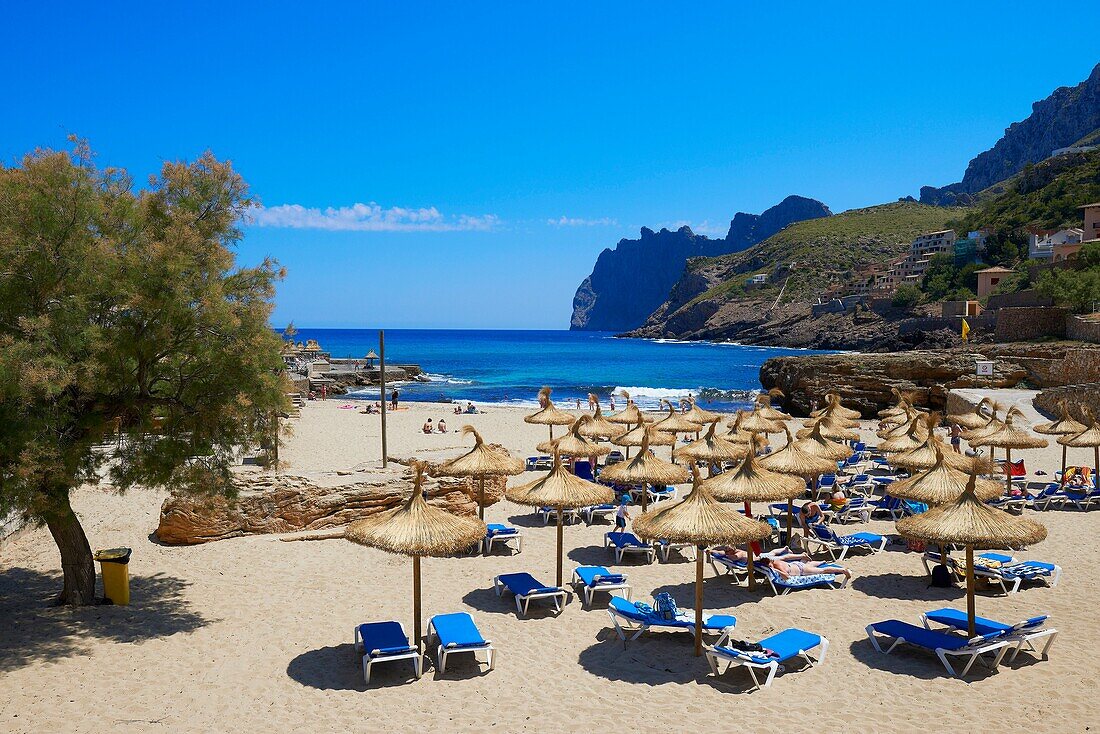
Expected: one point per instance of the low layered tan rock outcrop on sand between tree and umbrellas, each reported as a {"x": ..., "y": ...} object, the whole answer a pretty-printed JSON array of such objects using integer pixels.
[{"x": 270, "y": 503}]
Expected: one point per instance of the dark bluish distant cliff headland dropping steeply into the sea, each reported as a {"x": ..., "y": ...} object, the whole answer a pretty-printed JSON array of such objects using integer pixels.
[{"x": 630, "y": 282}]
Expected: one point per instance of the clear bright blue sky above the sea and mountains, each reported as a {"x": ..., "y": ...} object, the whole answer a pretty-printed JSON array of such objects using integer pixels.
[{"x": 464, "y": 165}]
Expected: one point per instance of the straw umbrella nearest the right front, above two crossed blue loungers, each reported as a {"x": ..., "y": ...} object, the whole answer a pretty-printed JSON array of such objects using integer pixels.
[{"x": 972, "y": 523}]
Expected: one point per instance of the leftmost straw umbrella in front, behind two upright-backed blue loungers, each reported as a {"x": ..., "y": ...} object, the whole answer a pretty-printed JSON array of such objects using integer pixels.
[{"x": 416, "y": 529}]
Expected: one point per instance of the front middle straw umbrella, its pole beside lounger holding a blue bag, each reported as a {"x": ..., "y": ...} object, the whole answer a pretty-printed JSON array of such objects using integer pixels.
[{"x": 700, "y": 520}]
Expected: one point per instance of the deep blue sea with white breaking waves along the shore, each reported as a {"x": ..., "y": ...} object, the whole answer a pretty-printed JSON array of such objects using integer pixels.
[{"x": 509, "y": 368}]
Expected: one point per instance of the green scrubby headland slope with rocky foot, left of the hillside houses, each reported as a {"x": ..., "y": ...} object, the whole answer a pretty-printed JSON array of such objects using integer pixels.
[{"x": 802, "y": 262}]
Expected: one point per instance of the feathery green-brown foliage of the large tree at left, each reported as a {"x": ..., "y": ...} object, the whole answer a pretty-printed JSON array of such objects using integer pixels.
[{"x": 123, "y": 309}]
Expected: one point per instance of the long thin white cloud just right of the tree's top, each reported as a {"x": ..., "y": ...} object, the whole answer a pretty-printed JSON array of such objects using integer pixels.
[{"x": 369, "y": 218}]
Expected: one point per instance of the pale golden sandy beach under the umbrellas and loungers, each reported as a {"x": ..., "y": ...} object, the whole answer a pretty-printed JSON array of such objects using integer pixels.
[{"x": 254, "y": 634}]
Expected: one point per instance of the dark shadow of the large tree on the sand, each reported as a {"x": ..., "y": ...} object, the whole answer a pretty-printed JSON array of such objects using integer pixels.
[{"x": 35, "y": 631}]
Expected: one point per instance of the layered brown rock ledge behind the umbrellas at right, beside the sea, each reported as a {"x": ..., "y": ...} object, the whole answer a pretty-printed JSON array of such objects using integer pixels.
[{"x": 865, "y": 381}]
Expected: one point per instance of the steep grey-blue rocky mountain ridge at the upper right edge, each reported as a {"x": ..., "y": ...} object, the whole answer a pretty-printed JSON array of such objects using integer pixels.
[{"x": 1069, "y": 116}]
